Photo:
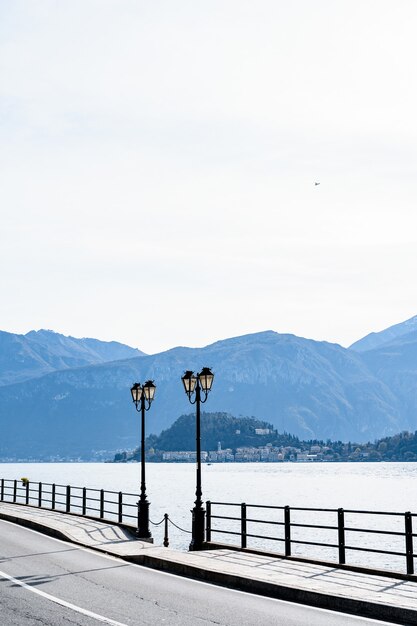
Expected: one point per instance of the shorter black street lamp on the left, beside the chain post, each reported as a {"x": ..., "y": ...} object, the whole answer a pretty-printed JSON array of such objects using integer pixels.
[{"x": 142, "y": 398}]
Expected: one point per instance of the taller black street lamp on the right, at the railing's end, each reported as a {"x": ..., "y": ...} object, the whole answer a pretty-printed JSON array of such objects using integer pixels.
[{"x": 194, "y": 385}]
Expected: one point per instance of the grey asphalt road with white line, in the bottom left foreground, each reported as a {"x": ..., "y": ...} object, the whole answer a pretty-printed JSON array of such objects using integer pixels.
[{"x": 47, "y": 582}]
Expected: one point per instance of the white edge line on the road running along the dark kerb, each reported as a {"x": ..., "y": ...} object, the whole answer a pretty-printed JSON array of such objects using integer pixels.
[{"x": 110, "y": 557}]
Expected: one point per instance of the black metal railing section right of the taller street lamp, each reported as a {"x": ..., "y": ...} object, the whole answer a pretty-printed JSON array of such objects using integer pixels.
[{"x": 292, "y": 529}]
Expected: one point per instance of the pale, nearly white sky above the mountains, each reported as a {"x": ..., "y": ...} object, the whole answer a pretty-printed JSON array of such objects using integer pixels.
[{"x": 158, "y": 161}]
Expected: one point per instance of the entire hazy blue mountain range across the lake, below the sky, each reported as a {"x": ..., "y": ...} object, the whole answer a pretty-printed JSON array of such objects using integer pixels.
[{"x": 62, "y": 397}]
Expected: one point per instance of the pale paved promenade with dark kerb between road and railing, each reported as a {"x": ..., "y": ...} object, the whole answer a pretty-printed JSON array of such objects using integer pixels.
[{"x": 380, "y": 597}]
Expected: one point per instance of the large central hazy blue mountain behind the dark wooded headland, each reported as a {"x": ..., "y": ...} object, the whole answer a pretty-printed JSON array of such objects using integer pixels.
[{"x": 308, "y": 388}]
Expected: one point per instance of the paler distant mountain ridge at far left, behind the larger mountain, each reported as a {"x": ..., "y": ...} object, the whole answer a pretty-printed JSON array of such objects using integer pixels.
[{"x": 40, "y": 352}]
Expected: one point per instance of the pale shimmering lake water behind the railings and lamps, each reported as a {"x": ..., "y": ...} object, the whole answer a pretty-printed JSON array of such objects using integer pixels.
[{"x": 171, "y": 489}]
